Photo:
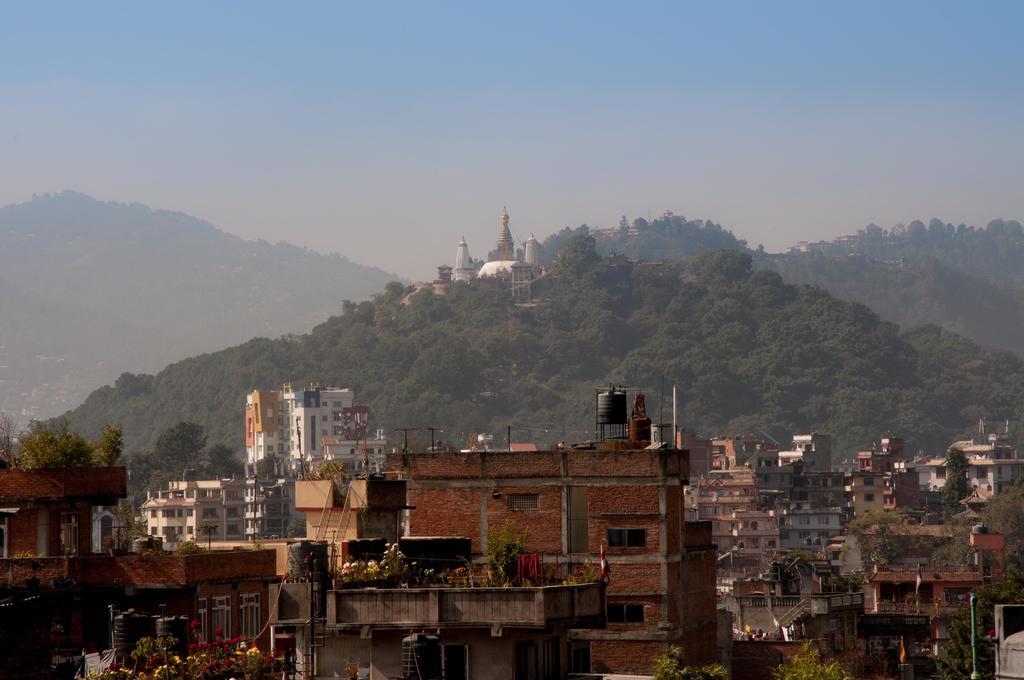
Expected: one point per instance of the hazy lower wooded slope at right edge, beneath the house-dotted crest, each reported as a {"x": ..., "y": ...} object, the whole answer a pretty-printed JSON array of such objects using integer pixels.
[{"x": 913, "y": 292}]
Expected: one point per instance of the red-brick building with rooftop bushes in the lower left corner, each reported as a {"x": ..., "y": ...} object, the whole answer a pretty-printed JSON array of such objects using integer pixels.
[{"x": 48, "y": 559}]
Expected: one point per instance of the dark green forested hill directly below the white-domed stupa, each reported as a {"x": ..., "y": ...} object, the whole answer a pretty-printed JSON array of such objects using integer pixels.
[{"x": 748, "y": 352}]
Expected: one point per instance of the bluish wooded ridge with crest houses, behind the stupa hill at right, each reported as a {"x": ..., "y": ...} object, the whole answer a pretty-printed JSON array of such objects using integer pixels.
[{"x": 964, "y": 279}]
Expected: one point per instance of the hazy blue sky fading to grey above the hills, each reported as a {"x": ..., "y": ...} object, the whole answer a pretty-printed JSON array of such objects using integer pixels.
[{"x": 387, "y": 132}]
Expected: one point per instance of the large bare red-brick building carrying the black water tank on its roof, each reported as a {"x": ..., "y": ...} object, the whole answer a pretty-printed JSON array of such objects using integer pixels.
[{"x": 573, "y": 501}]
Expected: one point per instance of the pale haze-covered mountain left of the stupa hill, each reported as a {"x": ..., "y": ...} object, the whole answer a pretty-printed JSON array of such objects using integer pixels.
[{"x": 90, "y": 290}]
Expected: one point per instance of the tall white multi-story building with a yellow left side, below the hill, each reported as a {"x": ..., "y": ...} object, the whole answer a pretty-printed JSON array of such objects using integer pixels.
[{"x": 297, "y": 428}]
